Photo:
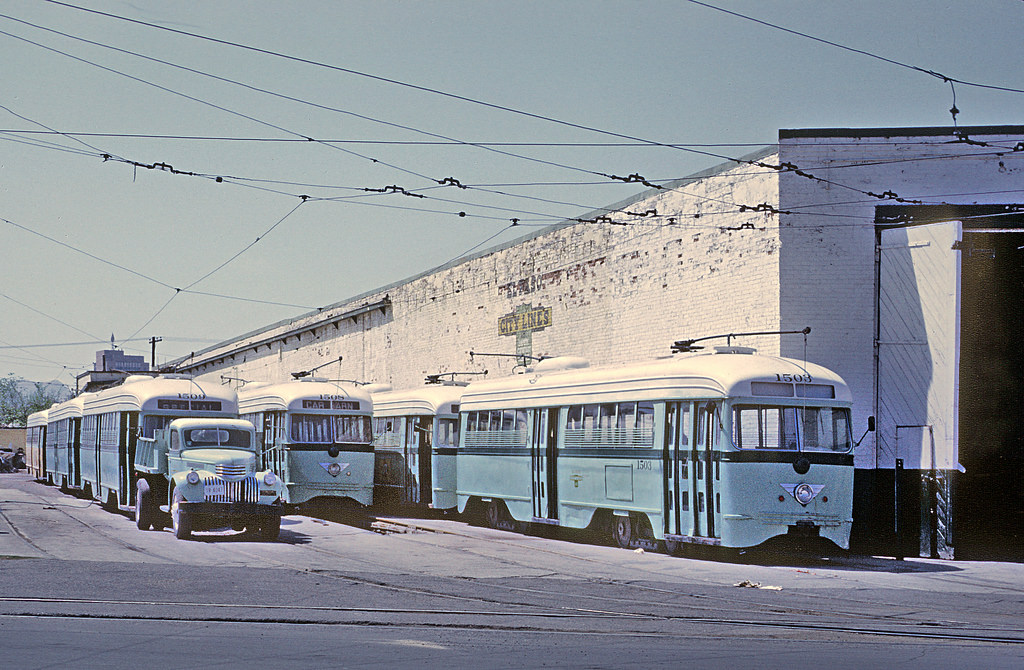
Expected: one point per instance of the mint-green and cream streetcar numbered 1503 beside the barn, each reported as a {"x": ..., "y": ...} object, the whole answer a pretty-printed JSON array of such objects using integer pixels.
[{"x": 728, "y": 448}]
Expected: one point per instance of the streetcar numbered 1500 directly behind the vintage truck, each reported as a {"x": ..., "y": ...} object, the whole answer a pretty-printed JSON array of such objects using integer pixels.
[{"x": 114, "y": 420}]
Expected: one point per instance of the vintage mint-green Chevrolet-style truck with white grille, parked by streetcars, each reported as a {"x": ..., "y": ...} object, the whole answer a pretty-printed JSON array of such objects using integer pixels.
[{"x": 206, "y": 471}]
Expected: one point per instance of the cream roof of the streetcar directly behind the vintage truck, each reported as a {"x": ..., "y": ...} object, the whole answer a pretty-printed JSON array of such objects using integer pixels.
[{"x": 141, "y": 393}]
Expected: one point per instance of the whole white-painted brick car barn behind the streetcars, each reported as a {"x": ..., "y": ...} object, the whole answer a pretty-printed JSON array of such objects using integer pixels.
[{"x": 901, "y": 248}]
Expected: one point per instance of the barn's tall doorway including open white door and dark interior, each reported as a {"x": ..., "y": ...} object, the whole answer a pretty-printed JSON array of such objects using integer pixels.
[{"x": 950, "y": 481}]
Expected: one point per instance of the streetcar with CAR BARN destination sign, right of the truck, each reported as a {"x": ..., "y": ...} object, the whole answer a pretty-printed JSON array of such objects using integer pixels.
[{"x": 316, "y": 436}]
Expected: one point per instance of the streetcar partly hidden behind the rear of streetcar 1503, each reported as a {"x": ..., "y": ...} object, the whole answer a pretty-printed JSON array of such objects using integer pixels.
[{"x": 416, "y": 435}]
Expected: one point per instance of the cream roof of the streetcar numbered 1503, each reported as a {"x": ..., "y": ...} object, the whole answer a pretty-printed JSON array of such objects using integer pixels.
[{"x": 679, "y": 378}]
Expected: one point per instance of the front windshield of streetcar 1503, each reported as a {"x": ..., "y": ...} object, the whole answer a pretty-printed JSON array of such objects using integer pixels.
[{"x": 792, "y": 429}]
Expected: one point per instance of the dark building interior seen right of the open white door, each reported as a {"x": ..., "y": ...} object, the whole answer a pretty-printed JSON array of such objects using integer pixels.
[{"x": 990, "y": 495}]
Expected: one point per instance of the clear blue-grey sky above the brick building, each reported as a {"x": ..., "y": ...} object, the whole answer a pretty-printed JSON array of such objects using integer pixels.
[{"x": 396, "y": 97}]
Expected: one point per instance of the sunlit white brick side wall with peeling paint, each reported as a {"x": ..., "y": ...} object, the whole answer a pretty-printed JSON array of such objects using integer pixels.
[{"x": 698, "y": 267}]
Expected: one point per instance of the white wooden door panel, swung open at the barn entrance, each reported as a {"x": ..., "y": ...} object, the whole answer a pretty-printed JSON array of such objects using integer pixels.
[{"x": 919, "y": 347}]
